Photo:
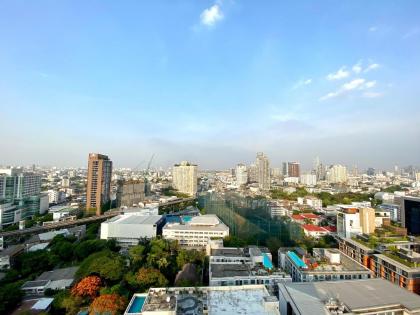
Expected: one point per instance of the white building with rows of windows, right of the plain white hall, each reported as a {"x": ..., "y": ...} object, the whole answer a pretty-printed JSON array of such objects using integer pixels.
[{"x": 197, "y": 232}]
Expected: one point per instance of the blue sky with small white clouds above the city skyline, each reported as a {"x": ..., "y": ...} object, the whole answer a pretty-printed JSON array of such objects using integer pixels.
[{"x": 210, "y": 81}]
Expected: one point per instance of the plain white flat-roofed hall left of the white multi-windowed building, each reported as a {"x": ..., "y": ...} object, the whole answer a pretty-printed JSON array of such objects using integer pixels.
[{"x": 129, "y": 229}]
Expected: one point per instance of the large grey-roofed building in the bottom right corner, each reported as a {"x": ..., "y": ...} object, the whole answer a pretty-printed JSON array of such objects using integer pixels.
[{"x": 373, "y": 296}]
